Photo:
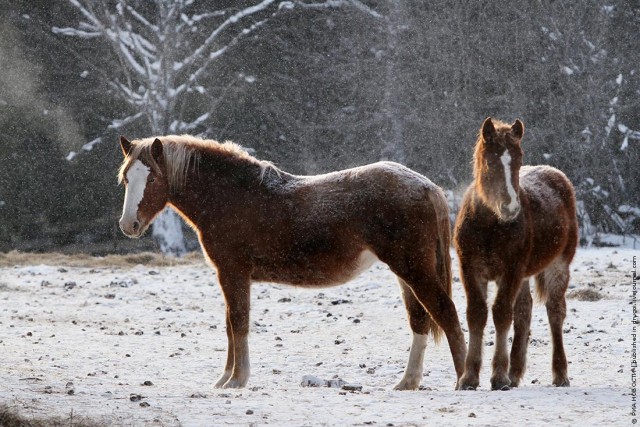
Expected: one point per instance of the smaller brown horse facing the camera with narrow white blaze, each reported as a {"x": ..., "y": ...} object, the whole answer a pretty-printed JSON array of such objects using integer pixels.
[{"x": 515, "y": 222}]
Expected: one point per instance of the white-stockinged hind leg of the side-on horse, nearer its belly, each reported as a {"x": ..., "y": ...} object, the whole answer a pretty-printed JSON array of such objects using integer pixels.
[{"x": 420, "y": 323}]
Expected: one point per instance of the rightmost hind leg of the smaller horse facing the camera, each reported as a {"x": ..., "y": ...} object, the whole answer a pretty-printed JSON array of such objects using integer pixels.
[{"x": 551, "y": 285}]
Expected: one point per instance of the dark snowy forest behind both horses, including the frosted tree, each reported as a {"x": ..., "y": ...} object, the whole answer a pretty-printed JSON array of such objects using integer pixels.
[{"x": 313, "y": 87}]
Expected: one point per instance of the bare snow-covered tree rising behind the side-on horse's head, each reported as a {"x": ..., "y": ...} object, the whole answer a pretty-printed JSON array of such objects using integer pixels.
[{"x": 165, "y": 50}]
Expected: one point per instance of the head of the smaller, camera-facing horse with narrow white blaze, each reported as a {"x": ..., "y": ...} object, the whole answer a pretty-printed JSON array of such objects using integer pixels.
[{"x": 498, "y": 158}]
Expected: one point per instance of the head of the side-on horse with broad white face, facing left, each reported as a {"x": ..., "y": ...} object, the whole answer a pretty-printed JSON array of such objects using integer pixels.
[{"x": 143, "y": 173}]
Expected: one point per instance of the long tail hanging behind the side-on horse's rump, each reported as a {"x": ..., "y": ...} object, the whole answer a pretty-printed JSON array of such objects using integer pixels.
[{"x": 443, "y": 256}]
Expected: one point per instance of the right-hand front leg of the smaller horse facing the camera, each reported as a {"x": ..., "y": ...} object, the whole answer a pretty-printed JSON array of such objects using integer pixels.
[{"x": 502, "y": 310}]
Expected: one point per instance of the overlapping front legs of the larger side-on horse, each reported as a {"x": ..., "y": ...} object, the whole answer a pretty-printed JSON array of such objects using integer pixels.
[{"x": 236, "y": 291}]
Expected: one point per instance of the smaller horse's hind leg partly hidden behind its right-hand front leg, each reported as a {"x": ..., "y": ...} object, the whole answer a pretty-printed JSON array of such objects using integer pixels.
[{"x": 521, "y": 330}]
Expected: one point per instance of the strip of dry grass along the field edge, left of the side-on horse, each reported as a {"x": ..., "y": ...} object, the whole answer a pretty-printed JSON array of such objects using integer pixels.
[{"x": 151, "y": 259}]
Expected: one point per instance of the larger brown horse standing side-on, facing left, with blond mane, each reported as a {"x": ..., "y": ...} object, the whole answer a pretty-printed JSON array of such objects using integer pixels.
[{"x": 258, "y": 223}]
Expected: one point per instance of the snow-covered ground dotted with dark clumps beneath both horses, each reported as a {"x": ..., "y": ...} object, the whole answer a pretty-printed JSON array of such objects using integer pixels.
[{"x": 137, "y": 346}]
